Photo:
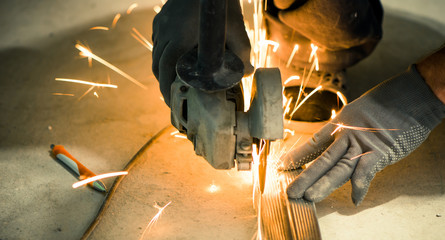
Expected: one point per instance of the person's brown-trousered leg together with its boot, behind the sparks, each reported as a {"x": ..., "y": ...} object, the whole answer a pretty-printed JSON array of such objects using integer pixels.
[{"x": 344, "y": 32}]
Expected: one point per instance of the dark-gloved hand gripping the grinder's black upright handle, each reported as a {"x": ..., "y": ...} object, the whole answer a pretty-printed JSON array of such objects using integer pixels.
[{"x": 175, "y": 32}]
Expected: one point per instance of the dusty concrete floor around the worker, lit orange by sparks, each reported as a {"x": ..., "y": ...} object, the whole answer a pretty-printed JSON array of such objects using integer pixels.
[{"x": 406, "y": 200}]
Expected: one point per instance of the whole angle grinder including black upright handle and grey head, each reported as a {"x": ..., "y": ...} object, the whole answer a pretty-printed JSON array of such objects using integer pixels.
[{"x": 206, "y": 97}]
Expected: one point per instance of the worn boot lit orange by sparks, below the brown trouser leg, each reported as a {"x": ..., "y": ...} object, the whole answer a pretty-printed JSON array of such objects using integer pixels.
[{"x": 314, "y": 67}]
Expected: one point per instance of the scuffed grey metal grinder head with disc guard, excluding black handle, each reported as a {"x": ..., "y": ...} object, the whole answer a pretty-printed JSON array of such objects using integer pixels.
[{"x": 220, "y": 131}]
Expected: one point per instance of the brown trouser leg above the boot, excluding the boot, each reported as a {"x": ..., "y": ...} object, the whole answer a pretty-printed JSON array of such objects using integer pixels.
[{"x": 345, "y": 31}]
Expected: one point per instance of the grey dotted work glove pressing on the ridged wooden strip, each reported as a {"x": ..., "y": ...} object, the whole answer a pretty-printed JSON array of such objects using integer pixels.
[{"x": 376, "y": 130}]
